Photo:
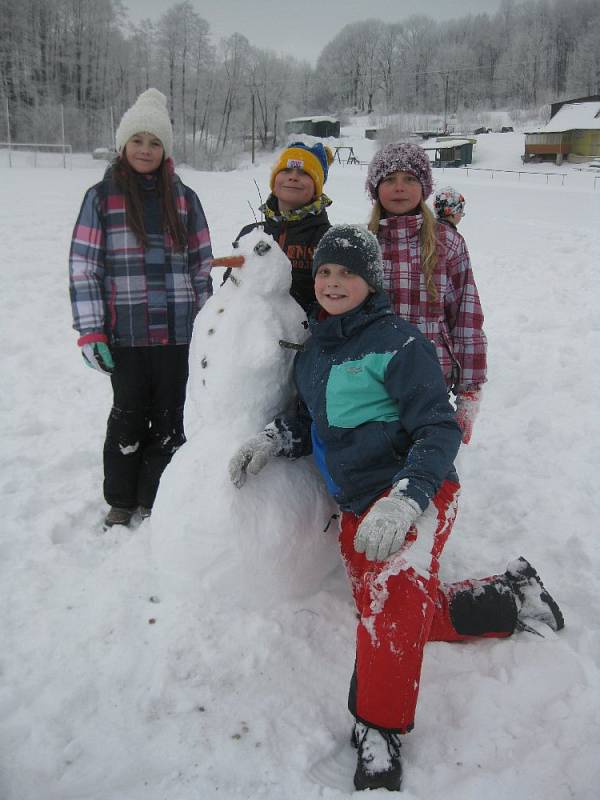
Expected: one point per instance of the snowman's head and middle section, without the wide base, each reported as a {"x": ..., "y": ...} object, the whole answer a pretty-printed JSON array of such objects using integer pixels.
[{"x": 245, "y": 338}]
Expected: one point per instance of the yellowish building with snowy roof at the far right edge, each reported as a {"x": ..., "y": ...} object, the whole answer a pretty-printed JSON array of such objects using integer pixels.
[{"x": 572, "y": 133}]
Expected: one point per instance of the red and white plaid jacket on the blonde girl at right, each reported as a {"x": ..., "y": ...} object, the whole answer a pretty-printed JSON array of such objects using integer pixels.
[{"x": 454, "y": 321}]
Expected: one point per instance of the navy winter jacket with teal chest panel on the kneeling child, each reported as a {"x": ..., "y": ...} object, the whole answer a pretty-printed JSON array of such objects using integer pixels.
[{"x": 373, "y": 408}]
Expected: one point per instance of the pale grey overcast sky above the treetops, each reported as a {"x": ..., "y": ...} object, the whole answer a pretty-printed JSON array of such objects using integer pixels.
[{"x": 302, "y": 28}]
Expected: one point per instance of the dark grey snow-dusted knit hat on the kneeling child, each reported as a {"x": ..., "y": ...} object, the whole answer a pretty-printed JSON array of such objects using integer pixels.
[{"x": 353, "y": 247}]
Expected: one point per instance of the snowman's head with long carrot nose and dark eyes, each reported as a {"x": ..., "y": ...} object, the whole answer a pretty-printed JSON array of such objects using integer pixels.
[{"x": 259, "y": 266}]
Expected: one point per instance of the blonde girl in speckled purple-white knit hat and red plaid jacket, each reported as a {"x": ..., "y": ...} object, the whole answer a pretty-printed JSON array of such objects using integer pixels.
[{"x": 427, "y": 272}]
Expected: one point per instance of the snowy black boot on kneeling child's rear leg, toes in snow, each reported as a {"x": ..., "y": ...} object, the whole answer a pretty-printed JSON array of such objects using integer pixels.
[{"x": 533, "y": 600}]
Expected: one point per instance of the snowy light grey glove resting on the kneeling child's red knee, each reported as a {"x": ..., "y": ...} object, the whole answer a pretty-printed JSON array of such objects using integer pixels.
[{"x": 384, "y": 528}]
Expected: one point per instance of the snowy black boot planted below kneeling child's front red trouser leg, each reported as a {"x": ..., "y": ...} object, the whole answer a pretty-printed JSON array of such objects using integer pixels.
[{"x": 378, "y": 765}]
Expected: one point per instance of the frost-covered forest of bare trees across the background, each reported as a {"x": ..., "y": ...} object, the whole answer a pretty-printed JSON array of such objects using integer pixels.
[{"x": 89, "y": 58}]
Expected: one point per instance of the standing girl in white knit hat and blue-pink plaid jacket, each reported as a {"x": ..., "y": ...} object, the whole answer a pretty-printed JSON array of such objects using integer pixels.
[{"x": 139, "y": 273}]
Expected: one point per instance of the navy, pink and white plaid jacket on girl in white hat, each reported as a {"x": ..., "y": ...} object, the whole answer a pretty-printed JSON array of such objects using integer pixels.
[{"x": 137, "y": 298}]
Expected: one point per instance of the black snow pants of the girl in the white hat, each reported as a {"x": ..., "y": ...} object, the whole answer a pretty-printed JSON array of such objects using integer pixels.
[{"x": 145, "y": 426}]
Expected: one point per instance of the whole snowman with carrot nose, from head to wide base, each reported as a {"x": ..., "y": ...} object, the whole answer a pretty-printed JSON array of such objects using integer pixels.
[{"x": 267, "y": 543}]
